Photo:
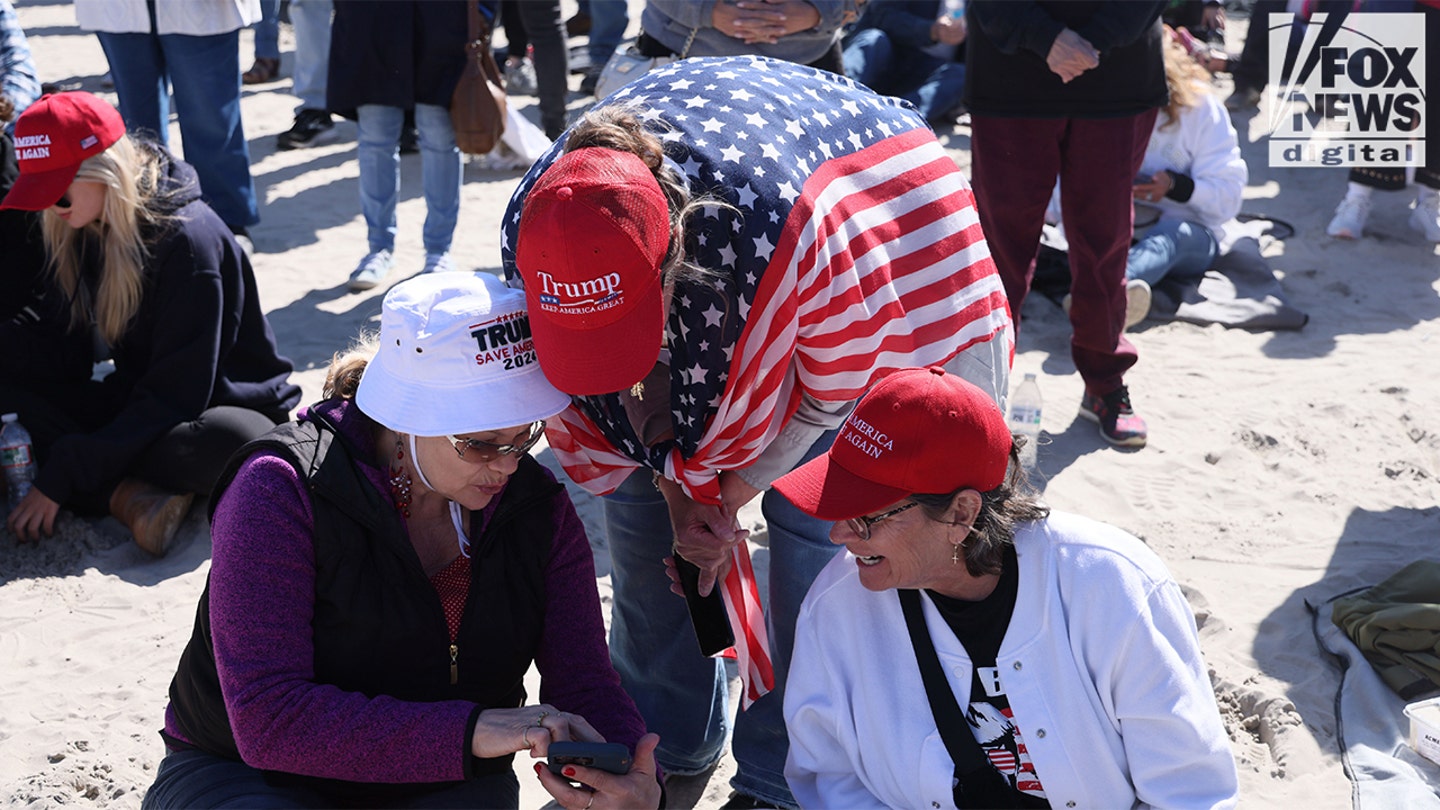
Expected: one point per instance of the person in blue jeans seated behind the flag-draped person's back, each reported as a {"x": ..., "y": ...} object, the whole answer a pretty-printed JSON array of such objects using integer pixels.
[{"x": 912, "y": 50}]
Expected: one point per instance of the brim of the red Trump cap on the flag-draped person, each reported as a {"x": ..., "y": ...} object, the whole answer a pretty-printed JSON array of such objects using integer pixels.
[{"x": 590, "y": 362}]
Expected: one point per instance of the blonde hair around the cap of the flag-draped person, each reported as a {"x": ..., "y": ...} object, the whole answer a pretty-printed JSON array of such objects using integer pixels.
[{"x": 620, "y": 128}]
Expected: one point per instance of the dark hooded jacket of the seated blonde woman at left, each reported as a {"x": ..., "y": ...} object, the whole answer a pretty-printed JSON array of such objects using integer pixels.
[{"x": 198, "y": 341}]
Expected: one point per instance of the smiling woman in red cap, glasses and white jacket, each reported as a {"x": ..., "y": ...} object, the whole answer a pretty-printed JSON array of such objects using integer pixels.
[{"x": 976, "y": 649}]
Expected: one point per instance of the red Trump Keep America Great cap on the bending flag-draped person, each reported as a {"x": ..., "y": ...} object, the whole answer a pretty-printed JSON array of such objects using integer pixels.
[{"x": 593, "y": 237}]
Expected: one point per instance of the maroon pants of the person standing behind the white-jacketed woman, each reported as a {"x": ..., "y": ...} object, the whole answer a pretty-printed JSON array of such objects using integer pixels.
[{"x": 1016, "y": 164}]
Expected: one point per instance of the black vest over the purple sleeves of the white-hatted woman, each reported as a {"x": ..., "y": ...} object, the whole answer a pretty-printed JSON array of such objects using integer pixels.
[{"x": 379, "y": 626}]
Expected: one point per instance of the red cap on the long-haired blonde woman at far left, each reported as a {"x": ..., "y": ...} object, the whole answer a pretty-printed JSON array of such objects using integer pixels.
[{"x": 53, "y": 138}]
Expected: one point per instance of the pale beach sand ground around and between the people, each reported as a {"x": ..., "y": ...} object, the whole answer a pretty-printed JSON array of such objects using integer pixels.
[{"x": 1281, "y": 466}]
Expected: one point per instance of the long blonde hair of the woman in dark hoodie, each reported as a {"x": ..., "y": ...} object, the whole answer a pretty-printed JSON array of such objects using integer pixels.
[{"x": 130, "y": 174}]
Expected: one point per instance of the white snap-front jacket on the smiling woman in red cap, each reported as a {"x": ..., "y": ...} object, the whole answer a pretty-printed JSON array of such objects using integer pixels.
[{"x": 1101, "y": 665}]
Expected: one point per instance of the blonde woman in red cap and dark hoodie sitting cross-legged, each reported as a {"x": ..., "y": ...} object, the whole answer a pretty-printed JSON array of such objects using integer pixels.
[{"x": 155, "y": 282}]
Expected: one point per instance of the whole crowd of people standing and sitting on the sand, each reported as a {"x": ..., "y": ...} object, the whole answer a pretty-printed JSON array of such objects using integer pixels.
[{"x": 775, "y": 286}]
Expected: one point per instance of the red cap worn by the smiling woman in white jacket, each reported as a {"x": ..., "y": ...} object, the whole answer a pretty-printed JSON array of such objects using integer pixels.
[{"x": 917, "y": 432}]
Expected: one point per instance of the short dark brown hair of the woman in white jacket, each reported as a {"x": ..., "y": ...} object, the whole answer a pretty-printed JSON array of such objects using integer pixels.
[{"x": 1013, "y": 502}]
